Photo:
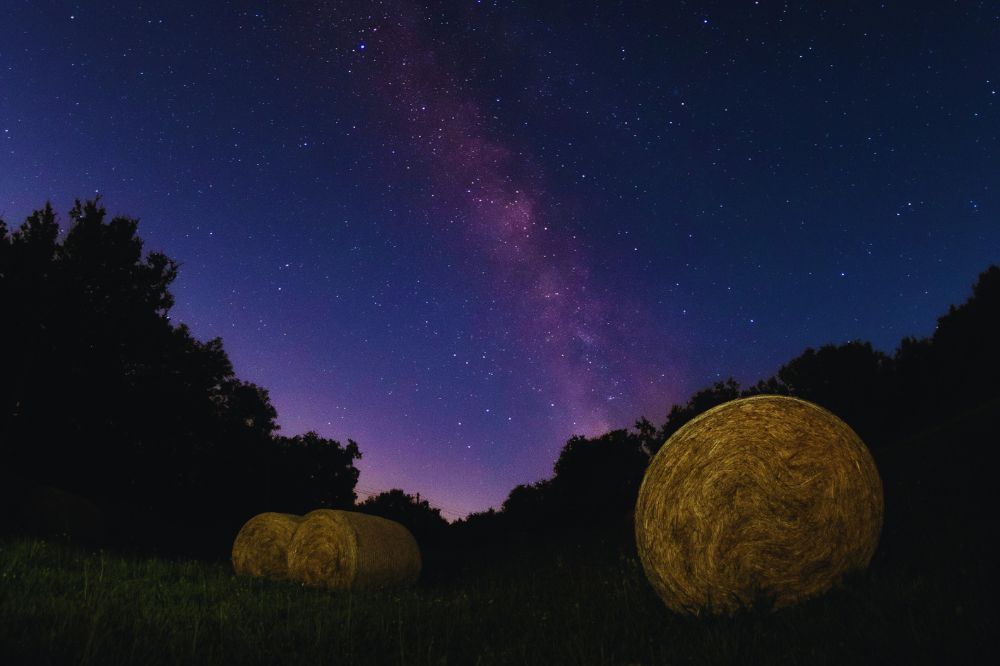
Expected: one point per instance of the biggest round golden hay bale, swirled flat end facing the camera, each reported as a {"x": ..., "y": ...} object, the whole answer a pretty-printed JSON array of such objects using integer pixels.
[{"x": 768, "y": 499}]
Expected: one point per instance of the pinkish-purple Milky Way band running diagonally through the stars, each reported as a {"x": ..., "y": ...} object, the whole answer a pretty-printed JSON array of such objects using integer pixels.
[{"x": 587, "y": 354}]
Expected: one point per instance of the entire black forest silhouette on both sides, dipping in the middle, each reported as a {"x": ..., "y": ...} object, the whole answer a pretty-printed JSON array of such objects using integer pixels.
[{"x": 117, "y": 426}]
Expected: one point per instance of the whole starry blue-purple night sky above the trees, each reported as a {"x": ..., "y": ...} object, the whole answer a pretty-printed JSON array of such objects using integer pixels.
[{"x": 460, "y": 232}]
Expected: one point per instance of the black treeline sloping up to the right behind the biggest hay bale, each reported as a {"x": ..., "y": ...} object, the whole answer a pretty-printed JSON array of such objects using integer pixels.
[{"x": 930, "y": 414}]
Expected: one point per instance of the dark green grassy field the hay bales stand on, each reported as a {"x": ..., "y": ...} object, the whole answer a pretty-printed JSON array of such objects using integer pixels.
[{"x": 60, "y": 604}]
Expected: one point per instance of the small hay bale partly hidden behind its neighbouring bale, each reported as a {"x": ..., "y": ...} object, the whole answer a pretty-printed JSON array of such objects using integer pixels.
[{"x": 261, "y": 546}]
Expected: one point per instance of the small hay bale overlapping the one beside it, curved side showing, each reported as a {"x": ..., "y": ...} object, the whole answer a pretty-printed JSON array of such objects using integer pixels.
[{"x": 348, "y": 550}]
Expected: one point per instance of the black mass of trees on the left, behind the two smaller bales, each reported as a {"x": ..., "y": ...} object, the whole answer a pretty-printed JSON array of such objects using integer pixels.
[{"x": 104, "y": 396}]
